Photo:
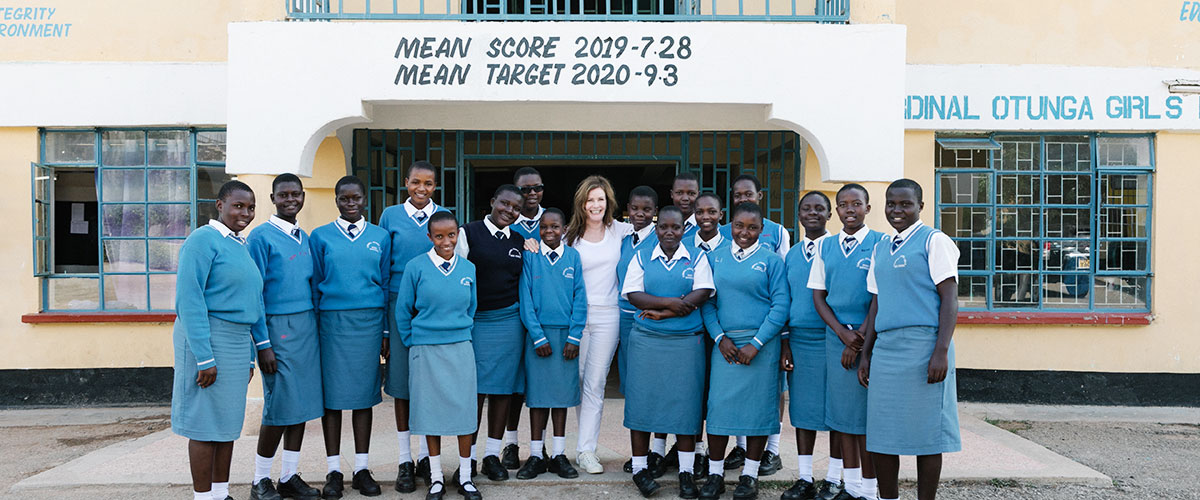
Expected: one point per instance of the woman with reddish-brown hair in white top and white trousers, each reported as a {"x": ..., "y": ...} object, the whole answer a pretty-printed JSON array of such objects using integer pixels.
[{"x": 597, "y": 237}]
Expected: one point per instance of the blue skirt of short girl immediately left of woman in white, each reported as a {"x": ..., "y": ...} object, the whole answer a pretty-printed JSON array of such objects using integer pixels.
[{"x": 551, "y": 382}]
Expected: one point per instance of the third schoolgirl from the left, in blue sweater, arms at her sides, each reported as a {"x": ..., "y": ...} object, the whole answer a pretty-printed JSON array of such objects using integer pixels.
[{"x": 351, "y": 272}]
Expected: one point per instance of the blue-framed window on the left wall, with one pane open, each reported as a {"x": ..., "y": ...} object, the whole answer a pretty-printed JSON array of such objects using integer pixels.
[{"x": 112, "y": 207}]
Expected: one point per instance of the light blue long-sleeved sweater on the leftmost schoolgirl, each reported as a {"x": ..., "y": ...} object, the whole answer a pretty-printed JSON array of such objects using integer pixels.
[{"x": 218, "y": 278}]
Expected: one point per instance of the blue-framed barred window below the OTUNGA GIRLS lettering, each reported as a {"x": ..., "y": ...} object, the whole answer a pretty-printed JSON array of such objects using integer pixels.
[{"x": 1049, "y": 222}]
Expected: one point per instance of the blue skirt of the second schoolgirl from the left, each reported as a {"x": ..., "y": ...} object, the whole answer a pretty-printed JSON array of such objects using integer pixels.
[{"x": 293, "y": 394}]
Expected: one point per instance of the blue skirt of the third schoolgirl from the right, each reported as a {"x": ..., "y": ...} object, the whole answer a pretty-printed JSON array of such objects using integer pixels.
[{"x": 807, "y": 382}]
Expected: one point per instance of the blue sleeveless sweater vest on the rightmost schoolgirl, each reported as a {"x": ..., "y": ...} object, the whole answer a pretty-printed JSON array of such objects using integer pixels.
[{"x": 908, "y": 296}]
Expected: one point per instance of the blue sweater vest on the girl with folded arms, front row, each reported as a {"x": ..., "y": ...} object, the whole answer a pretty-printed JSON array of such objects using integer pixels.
[{"x": 670, "y": 282}]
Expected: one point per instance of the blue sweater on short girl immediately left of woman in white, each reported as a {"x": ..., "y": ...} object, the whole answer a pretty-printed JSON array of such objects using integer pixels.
[{"x": 554, "y": 296}]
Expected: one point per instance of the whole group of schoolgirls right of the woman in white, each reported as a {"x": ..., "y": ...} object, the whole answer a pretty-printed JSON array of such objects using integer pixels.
[{"x": 857, "y": 327}]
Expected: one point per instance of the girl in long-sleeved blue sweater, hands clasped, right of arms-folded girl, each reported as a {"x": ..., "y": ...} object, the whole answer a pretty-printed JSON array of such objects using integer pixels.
[{"x": 745, "y": 322}]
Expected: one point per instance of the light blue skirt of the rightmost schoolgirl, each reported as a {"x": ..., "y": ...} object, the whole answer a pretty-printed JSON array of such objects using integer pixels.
[{"x": 907, "y": 415}]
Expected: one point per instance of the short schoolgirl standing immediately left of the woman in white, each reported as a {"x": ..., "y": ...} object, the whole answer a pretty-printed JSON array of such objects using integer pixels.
[{"x": 554, "y": 309}]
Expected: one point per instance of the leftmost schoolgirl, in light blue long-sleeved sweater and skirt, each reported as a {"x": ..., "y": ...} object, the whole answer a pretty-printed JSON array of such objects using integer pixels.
[{"x": 219, "y": 326}]
